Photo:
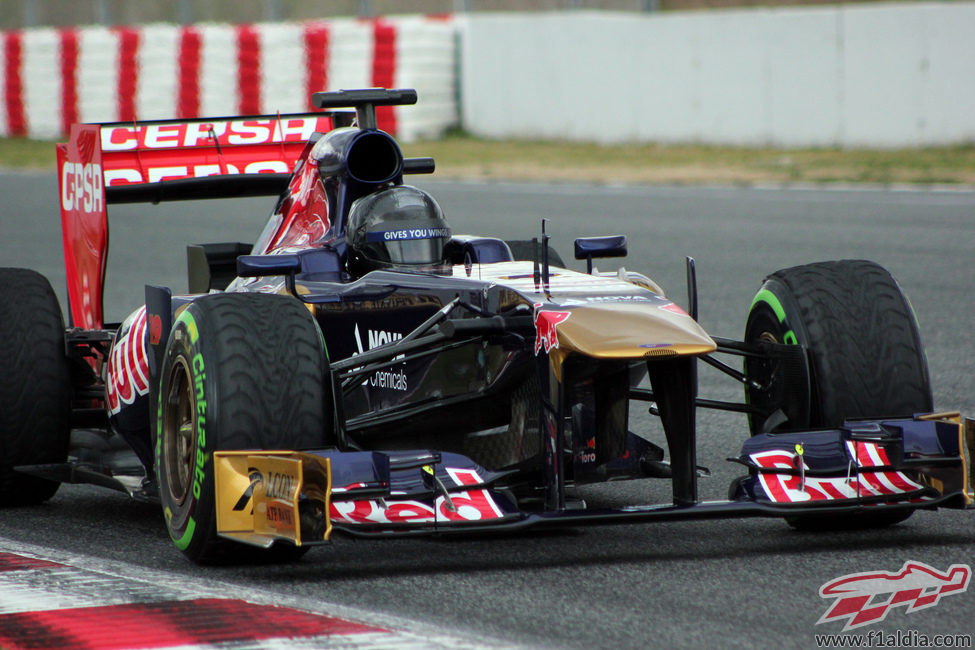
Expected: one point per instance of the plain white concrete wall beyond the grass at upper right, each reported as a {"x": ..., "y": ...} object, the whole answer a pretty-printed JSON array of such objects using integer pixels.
[{"x": 850, "y": 75}]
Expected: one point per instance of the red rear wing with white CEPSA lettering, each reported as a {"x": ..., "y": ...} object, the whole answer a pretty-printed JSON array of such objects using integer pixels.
[{"x": 161, "y": 161}]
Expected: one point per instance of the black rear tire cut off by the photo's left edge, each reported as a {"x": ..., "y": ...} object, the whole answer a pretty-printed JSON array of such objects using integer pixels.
[{"x": 35, "y": 386}]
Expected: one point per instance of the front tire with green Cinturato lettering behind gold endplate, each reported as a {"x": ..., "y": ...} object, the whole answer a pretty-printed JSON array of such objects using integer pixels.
[{"x": 240, "y": 371}]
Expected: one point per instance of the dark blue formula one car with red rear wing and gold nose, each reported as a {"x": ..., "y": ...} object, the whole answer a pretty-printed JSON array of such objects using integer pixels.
[{"x": 361, "y": 368}]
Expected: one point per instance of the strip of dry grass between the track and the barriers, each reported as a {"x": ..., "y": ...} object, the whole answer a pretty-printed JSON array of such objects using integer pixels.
[{"x": 461, "y": 156}]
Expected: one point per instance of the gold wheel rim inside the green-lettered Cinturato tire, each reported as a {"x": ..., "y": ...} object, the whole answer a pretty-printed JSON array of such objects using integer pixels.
[{"x": 178, "y": 432}]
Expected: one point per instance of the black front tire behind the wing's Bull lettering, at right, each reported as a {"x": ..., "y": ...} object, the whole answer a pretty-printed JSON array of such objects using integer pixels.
[{"x": 864, "y": 353}]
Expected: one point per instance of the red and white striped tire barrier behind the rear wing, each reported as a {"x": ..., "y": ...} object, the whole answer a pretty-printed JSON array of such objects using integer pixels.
[{"x": 51, "y": 78}]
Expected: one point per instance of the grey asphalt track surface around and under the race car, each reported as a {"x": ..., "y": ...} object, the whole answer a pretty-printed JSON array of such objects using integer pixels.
[{"x": 731, "y": 583}]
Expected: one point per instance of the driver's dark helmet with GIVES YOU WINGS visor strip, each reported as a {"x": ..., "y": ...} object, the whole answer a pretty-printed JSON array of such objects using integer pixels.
[{"x": 399, "y": 228}]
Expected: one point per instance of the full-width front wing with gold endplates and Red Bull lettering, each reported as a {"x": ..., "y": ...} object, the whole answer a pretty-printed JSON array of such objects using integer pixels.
[{"x": 301, "y": 496}]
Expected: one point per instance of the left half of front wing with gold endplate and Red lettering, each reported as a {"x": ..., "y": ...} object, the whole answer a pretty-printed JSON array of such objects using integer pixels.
[{"x": 265, "y": 496}]
